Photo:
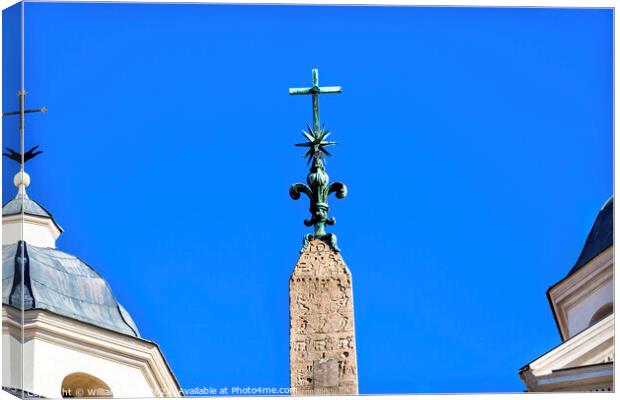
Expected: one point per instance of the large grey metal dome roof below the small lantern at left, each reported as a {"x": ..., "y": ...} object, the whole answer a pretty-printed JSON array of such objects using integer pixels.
[{"x": 63, "y": 284}]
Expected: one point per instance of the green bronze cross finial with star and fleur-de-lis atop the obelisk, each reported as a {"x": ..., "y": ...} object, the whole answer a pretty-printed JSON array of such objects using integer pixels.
[{"x": 318, "y": 188}]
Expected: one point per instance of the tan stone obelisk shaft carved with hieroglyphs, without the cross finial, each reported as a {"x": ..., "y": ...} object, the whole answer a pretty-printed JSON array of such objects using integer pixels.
[{"x": 322, "y": 329}]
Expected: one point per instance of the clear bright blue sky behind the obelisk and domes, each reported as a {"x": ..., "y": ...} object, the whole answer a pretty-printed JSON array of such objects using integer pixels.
[{"x": 476, "y": 143}]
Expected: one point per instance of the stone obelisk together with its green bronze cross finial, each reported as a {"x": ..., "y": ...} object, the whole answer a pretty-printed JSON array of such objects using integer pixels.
[{"x": 322, "y": 329}]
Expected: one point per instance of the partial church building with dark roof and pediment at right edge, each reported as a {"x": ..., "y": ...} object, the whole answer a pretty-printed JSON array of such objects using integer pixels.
[{"x": 583, "y": 307}]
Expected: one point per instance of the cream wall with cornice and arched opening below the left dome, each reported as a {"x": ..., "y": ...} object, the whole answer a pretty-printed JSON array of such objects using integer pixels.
[{"x": 56, "y": 347}]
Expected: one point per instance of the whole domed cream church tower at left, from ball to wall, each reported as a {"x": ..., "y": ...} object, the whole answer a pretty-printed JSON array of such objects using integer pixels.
[{"x": 73, "y": 338}]
